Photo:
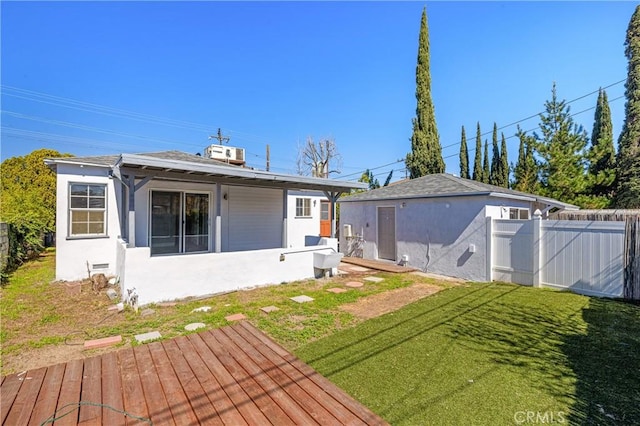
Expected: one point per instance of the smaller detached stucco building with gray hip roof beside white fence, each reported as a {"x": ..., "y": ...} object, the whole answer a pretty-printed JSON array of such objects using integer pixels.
[{"x": 436, "y": 223}]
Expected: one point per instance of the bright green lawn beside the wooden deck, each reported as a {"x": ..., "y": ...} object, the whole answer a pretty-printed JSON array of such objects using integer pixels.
[{"x": 492, "y": 354}]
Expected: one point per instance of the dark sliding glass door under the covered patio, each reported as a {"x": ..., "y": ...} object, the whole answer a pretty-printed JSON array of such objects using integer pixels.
[{"x": 179, "y": 222}]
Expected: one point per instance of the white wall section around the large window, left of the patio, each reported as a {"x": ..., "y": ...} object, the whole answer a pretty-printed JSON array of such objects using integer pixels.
[{"x": 73, "y": 253}]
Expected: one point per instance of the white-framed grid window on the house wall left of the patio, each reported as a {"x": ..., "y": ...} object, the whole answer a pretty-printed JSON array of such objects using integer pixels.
[{"x": 87, "y": 210}]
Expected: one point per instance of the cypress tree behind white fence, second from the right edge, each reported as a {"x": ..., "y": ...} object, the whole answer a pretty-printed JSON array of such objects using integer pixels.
[{"x": 601, "y": 153}]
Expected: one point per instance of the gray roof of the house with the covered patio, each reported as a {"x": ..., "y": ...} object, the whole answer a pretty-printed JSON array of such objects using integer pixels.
[{"x": 177, "y": 165}]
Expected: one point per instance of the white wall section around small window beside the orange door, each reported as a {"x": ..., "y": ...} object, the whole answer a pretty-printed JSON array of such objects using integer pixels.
[{"x": 300, "y": 228}]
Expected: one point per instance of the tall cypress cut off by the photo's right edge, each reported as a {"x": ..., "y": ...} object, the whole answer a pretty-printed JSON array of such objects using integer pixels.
[{"x": 628, "y": 161}]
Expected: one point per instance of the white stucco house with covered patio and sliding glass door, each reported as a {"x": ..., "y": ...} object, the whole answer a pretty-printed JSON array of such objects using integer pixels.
[{"x": 170, "y": 225}]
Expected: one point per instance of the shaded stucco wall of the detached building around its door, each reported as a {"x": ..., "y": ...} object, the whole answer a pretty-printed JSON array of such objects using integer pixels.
[{"x": 437, "y": 234}]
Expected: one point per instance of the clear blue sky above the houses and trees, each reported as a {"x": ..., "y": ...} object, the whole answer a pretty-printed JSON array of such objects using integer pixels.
[{"x": 93, "y": 78}]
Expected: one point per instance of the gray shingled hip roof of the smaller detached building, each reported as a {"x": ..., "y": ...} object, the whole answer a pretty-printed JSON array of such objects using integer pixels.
[{"x": 446, "y": 185}]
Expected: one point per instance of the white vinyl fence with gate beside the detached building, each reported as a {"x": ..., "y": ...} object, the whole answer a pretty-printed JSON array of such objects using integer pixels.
[{"x": 582, "y": 256}]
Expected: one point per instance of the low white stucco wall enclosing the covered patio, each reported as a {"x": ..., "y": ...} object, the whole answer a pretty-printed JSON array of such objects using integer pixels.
[{"x": 163, "y": 278}]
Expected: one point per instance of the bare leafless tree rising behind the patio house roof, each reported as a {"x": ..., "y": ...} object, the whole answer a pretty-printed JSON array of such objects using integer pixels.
[{"x": 318, "y": 159}]
